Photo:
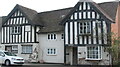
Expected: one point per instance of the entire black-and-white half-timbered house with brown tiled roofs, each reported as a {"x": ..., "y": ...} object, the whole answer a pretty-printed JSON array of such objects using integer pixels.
[{"x": 76, "y": 35}]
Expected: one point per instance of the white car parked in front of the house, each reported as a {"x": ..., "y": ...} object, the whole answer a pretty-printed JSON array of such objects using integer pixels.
[{"x": 9, "y": 58}]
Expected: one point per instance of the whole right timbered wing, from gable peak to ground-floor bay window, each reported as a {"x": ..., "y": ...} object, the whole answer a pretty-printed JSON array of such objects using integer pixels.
[{"x": 86, "y": 30}]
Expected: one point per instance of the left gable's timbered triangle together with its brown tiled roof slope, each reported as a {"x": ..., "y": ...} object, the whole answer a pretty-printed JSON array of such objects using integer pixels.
[{"x": 28, "y": 16}]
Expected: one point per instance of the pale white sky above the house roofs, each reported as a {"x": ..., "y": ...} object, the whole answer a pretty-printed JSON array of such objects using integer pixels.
[{"x": 39, "y": 5}]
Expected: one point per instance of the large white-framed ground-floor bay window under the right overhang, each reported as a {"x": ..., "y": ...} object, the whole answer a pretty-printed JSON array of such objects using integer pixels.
[{"x": 99, "y": 53}]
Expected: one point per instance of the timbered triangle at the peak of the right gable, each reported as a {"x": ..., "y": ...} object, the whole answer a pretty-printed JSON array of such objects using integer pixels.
[{"x": 85, "y": 12}]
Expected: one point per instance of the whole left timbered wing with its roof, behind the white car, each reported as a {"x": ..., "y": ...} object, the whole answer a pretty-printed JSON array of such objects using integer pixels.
[{"x": 19, "y": 32}]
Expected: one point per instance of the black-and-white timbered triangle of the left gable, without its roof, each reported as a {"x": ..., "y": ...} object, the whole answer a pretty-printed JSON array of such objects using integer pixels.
[{"x": 16, "y": 18}]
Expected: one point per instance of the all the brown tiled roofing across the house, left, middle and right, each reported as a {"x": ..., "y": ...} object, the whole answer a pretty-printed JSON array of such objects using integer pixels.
[{"x": 50, "y": 20}]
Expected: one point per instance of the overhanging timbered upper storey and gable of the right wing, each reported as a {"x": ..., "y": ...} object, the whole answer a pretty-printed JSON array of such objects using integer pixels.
[{"x": 86, "y": 25}]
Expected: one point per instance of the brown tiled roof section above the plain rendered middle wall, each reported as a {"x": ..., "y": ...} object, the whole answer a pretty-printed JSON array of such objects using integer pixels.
[{"x": 51, "y": 20}]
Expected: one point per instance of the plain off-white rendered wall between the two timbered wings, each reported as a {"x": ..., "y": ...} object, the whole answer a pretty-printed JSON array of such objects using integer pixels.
[{"x": 44, "y": 44}]
